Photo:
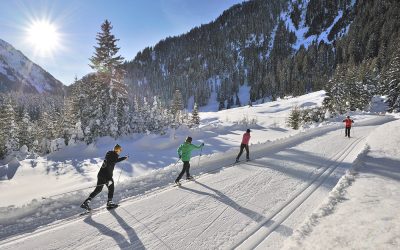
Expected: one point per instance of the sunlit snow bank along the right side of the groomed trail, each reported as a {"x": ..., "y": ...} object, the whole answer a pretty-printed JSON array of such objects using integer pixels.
[{"x": 364, "y": 201}]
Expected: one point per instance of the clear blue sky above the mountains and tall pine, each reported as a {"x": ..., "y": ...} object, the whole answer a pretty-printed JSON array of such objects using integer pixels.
[{"x": 137, "y": 23}]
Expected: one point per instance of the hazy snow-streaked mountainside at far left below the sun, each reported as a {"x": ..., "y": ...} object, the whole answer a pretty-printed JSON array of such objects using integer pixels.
[{"x": 18, "y": 73}]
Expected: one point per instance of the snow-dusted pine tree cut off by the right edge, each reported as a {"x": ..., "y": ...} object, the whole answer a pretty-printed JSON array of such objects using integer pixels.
[{"x": 392, "y": 82}]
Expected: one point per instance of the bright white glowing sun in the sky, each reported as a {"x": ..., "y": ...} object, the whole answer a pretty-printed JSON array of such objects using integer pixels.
[{"x": 44, "y": 37}]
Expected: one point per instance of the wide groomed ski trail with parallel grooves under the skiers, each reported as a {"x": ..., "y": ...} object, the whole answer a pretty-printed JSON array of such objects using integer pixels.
[{"x": 250, "y": 205}]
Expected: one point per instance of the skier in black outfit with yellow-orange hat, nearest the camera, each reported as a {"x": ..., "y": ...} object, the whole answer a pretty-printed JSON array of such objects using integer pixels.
[{"x": 104, "y": 177}]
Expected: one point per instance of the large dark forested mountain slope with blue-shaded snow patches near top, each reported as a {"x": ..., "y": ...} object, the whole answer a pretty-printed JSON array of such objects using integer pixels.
[{"x": 276, "y": 47}]
